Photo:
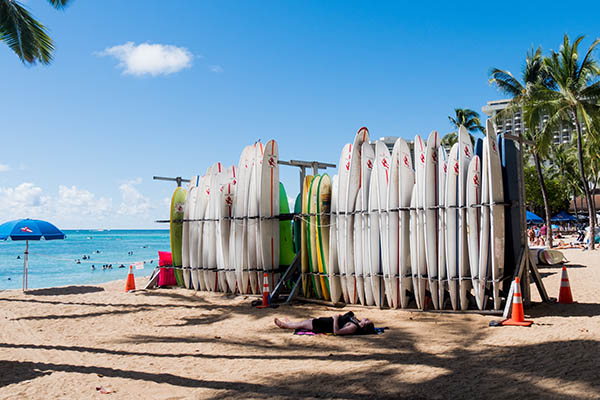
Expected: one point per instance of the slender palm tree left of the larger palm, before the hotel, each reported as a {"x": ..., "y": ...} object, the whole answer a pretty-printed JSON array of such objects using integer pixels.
[{"x": 522, "y": 94}]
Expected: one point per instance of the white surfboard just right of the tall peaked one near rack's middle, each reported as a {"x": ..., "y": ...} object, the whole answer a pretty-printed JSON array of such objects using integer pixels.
[{"x": 367, "y": 162}]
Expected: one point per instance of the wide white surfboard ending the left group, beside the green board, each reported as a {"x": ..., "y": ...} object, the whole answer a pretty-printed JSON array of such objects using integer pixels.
[{"x": 269, "y": 208}]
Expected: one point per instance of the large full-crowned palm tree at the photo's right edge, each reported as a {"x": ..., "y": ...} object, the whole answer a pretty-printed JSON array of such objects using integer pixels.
[{"x": 574, "y": 97}]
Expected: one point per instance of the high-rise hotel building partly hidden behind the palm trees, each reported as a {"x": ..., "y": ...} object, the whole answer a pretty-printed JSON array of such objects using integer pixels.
[{"x": 513, "y": 124}]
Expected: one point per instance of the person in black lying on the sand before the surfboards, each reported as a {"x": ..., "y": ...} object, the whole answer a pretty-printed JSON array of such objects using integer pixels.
[{"x": 346, "y": 324}]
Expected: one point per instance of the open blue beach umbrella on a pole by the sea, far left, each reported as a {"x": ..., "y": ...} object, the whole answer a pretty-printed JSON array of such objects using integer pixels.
[{"x": 29, "y": 229}]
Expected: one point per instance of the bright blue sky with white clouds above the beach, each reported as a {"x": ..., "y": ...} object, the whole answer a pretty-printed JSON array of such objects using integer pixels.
[{"x": 143, "y": 88}]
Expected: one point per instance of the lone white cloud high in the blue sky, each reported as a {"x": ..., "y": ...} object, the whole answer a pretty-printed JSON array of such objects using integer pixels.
[{"x": 150, "y": 59}]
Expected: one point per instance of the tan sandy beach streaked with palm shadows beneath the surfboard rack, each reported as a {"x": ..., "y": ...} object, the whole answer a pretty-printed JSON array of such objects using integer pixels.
[{"x": 64, "y": 343}]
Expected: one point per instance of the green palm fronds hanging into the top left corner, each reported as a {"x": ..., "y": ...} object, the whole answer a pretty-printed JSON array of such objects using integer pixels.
[{"x": 26, "y": 36}]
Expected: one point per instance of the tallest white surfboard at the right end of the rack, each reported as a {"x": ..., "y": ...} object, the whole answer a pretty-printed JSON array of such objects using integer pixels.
[{"x": 496, "y": 213}]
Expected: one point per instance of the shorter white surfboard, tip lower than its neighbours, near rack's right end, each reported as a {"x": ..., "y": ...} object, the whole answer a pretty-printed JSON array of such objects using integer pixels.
[{"x": 473, "y": 220}]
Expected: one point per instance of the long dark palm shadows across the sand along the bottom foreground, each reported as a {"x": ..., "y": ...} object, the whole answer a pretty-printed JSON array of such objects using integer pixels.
[{"x": 499, "y": 372}]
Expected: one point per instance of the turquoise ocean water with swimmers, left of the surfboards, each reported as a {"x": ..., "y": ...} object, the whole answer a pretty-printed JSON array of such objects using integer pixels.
[{"x": 53, "y": 262}]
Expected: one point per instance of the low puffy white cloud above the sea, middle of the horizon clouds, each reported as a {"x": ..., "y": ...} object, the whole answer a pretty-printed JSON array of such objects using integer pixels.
[{"x": 74, "y": 201}]
